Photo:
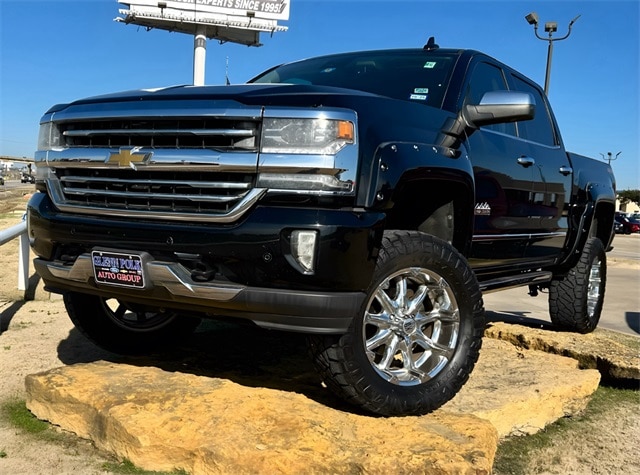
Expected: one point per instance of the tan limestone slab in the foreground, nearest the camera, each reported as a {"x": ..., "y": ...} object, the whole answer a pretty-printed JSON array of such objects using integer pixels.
[{"x": 166, "y": 420}]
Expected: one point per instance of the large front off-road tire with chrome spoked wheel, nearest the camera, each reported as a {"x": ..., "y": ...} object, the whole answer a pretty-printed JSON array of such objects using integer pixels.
[{"x": 450, "y": 316}]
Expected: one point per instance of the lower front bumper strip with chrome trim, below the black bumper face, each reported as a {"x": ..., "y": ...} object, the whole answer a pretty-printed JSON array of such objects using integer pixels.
[{"x": 171, "y": 286}]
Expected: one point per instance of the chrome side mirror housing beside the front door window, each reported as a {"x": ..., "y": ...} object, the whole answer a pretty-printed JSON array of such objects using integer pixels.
[{"x": 498, "y": 107}]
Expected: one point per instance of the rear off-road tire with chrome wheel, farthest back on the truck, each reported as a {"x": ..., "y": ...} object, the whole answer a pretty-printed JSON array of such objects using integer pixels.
[{"x": 576, "y": 299}]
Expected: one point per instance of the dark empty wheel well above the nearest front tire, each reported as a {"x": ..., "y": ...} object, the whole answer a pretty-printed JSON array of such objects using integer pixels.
[{"x": 440, "y": 208}]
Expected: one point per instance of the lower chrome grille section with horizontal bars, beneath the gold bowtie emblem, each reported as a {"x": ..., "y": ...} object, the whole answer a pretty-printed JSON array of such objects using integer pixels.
[{"x": 198, "y": 196}]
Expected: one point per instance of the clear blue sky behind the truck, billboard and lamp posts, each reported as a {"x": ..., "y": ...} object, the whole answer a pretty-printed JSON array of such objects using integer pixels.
[{"x": 58, "y": 51}]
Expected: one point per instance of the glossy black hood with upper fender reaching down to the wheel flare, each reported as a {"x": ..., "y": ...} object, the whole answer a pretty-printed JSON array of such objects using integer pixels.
[{"x": 380, "y": 118}]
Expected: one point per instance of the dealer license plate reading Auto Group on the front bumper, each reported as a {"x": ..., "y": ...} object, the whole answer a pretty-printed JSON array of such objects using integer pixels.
[{"x": 114, "y": 268}]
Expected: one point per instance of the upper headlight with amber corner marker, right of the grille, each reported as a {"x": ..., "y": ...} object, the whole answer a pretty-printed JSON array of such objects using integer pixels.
[{"x": 306, "y": 136}]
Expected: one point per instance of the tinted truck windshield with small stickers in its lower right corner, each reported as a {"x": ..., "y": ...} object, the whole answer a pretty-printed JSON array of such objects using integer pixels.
[{"x": 416, "y": 75}]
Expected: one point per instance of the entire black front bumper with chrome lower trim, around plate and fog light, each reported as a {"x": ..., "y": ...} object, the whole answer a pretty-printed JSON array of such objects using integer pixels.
[{"x": 252, "y": 276}]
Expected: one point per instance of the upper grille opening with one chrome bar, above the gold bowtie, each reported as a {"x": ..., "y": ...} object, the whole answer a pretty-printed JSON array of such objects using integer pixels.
[{"x": 158, "y": 133}]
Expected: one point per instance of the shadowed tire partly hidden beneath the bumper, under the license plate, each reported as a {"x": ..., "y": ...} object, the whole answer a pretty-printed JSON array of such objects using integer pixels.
[{"x": 124, "y": 329}]
